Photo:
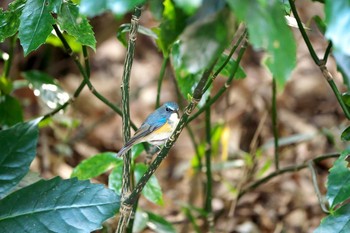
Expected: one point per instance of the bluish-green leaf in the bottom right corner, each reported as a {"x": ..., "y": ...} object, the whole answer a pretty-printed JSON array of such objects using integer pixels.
[{"x": 337, "y": 222}]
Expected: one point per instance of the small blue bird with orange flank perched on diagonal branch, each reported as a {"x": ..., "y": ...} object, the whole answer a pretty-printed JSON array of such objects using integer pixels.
[{"x": 157, "y": 128}]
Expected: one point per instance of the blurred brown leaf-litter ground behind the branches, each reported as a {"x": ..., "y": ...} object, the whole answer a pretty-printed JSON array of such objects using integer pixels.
[{"x": 310, "y": 122}]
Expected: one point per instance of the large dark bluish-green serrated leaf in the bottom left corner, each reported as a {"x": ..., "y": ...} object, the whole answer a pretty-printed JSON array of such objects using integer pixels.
[{"x": 58, "y": 205}]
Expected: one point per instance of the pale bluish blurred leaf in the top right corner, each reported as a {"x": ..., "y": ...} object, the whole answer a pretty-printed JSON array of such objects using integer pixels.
[{"x": 338, "y": 21}]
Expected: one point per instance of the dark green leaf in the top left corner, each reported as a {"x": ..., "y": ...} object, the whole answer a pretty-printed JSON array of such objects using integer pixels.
[{"x": 9, "y": 20}]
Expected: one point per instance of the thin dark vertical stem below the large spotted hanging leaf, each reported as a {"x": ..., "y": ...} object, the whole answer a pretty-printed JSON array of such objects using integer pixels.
[{"x": 274, "y": 122}]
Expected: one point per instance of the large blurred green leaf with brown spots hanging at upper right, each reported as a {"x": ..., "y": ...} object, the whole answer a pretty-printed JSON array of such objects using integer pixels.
[{"x": 268, "y": 30}]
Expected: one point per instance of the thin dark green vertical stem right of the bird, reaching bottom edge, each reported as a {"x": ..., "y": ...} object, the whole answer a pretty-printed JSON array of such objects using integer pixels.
[{"x": 208, "y": 195}]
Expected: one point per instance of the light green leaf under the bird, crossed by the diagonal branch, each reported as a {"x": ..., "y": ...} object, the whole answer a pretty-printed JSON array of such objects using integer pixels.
[{"x": 152, "y": 190}]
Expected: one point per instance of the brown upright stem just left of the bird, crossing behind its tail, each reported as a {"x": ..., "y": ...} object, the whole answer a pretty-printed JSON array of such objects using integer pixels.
[{"x": 126, "y": 183}]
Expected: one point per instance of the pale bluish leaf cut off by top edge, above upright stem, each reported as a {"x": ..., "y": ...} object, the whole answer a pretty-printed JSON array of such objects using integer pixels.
[{"x": 92, "y": 8}]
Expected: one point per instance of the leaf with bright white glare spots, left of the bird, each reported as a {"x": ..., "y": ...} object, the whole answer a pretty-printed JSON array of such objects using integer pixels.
[{"x": 46, "y": 88}]
